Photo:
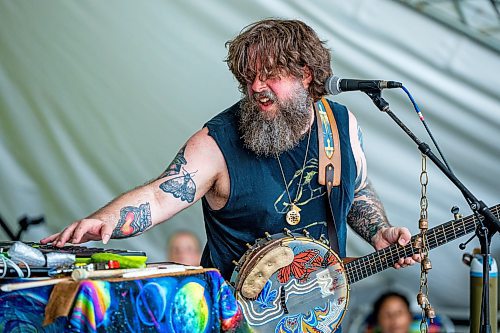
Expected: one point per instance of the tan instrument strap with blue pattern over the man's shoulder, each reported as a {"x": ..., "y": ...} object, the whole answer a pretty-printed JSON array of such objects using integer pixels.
[{"x": 329, "y": 161}]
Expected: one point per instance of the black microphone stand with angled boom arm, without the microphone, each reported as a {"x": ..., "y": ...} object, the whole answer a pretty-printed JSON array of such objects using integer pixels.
[{"x": 490, "y": 223}]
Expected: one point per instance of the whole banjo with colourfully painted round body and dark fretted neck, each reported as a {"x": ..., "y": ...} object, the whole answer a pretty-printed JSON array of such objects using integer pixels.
[{"x": 294, "y": 283}]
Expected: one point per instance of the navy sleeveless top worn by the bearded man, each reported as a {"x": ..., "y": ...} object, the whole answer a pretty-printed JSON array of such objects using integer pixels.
[{"x": 258, "y": 201}]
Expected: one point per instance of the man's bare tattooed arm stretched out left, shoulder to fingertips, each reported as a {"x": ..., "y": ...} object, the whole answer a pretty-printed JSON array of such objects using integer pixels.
[{"x": 196, "y": 169}]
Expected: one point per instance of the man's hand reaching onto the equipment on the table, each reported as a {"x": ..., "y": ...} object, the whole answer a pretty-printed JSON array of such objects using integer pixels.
[{"x": 80, "y": 232}]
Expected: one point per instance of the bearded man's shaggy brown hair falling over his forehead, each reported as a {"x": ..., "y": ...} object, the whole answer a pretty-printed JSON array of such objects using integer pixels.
[{"x": 279, "y": 47}]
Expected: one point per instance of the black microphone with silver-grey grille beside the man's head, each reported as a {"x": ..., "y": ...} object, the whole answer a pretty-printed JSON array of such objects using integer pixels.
[{"x": 335, "y": 85}]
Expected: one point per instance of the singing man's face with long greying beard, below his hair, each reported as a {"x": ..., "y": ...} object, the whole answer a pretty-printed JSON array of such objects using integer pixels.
[{"x": 275, "y": 113}]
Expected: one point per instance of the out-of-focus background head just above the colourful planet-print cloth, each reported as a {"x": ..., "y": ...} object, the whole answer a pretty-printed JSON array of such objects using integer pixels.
[{"x": 184, "y": 248}]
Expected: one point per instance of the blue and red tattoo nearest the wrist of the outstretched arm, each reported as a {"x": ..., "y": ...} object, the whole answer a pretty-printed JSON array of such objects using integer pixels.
[{"x": 133, "y": 221}]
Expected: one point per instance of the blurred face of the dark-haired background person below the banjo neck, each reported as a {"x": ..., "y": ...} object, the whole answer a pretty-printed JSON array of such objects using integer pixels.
[{"x": 394, "y": 316}]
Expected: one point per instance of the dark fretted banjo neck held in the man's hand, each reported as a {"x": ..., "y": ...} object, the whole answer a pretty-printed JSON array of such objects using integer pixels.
[{"x": 378, "y": 261}]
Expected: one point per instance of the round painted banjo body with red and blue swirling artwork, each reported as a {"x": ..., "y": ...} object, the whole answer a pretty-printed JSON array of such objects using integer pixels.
[{"x": 291, "y": 284}]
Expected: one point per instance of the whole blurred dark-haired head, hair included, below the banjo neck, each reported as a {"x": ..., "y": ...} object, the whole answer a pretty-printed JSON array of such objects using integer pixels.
[{"x": 392, "y": 313}]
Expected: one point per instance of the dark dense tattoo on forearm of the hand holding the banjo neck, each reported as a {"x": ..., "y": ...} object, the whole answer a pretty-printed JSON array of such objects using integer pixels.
[{"x": 367, "y": 214}]
